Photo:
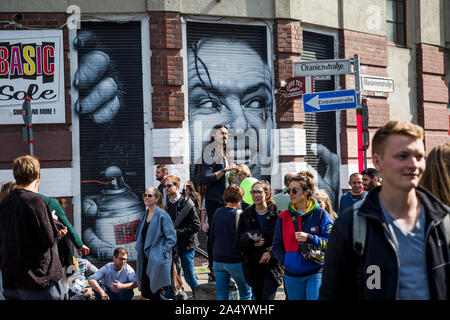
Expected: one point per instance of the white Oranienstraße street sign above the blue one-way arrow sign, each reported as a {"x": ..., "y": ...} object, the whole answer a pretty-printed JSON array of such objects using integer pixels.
[{"x": 322, "y": 67}]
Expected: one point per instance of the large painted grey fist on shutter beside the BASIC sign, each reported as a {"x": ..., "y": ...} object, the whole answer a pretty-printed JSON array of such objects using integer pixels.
[{"x": 98, "y": 89}]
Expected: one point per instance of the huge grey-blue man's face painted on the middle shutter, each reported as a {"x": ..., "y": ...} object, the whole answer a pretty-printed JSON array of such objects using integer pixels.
[{"x": 232, "y": 87}]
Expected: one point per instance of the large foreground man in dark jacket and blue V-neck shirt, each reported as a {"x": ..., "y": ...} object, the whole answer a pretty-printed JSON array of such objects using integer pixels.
[{"x": 394, "y": 244}]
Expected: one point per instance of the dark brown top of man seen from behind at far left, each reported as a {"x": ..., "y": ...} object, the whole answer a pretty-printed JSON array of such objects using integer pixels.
[{"x": 29, "y": 238}]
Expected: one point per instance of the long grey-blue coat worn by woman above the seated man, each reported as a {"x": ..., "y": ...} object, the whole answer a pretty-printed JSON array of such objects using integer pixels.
[{"x": 157, "y": 247}]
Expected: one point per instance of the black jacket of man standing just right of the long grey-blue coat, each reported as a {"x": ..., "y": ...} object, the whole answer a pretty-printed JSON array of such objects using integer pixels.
[{"x": 188, "y": 229}]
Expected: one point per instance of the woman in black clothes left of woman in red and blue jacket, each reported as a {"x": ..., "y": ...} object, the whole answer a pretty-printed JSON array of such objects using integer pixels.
[{"x": 255, "y": 233}]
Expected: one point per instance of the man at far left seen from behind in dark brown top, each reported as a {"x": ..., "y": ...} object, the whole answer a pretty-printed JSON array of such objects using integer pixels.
[{"x": 30, "y": 265}]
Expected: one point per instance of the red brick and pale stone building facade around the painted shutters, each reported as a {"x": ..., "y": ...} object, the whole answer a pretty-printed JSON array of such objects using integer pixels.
[{"x": 167, "y": 133}]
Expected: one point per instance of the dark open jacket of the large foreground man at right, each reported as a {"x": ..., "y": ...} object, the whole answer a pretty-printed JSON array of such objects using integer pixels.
[{"x": 345, "y": 274}]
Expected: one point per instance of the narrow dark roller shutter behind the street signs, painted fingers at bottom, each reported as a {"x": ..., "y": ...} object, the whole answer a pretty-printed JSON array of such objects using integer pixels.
[{"x": 321, "y": 126}]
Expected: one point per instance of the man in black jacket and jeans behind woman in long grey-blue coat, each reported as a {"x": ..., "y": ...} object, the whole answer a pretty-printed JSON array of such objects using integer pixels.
[{"x": 187, "y": 225}]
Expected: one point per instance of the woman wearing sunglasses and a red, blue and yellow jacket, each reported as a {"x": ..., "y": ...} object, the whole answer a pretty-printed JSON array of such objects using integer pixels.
[{"x": 300, "y": 239}]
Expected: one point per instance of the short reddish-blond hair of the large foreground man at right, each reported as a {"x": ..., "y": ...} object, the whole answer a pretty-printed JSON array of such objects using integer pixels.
[{"x": 394, "y": 127}]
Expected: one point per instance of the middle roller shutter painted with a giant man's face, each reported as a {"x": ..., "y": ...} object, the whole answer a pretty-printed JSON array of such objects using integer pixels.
[{"x": 242, "y": 45}]
